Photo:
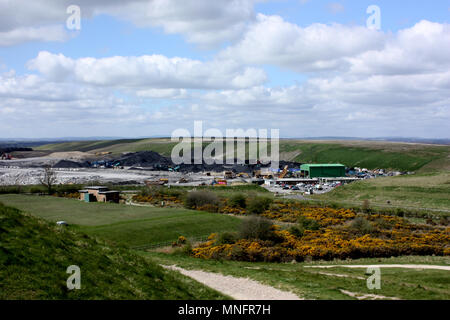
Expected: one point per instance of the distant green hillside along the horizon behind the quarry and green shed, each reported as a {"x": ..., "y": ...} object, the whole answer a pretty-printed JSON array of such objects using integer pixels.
[{"x": 368, "y": 154}]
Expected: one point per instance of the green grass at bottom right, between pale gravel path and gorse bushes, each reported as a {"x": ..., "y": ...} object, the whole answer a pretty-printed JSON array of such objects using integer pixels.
[{"x": 310, "y": 284}]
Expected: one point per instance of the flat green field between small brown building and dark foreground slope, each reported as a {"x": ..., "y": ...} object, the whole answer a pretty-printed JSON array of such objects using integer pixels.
[{"x": 124, "y": 224}]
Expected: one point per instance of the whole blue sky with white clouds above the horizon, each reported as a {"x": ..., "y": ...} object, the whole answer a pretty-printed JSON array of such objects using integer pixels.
[{"x": 142, "y": 68}]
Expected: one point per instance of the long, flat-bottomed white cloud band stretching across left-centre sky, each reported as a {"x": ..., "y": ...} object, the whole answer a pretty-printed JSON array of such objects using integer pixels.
[{"x": 155, "y": 71}]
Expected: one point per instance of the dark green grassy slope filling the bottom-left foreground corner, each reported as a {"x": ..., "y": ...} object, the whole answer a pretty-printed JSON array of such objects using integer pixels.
[{"x": 35, "y": 254}]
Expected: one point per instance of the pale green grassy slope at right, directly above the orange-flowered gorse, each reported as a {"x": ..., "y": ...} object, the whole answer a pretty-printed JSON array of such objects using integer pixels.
[{"x": 430, "y": 190}]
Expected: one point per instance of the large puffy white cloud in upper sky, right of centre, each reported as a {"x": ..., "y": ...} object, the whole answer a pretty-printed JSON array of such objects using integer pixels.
[{"x": 271, "y": 40}]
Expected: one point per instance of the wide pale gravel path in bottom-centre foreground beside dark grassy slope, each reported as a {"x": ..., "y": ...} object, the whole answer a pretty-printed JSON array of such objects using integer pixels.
[{"x": 236, "y": 288}]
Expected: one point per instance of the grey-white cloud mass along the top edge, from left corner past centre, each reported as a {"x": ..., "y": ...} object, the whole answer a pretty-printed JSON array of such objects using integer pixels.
[{"x": 203, "y": 22}]
